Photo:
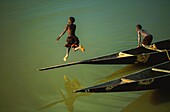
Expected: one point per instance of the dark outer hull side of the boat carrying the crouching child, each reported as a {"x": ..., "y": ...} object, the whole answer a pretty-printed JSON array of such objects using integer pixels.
[{"x": 149, "y": 58}]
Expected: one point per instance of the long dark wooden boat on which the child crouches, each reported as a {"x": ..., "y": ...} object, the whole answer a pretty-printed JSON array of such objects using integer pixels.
[{"x": 157, "y": 53}]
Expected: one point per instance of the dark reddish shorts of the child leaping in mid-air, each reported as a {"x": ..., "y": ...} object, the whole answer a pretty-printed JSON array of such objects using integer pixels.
[{"x": 72, "y": 41}]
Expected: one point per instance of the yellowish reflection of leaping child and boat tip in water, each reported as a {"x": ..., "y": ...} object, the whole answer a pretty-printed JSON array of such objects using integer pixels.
[{"x": 70, "y": 86}]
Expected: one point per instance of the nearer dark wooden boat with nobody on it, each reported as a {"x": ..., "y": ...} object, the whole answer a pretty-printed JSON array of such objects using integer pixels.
[{"x": 154, "y": 77}]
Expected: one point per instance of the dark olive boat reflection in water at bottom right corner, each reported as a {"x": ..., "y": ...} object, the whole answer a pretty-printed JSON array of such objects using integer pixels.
[{"x": 157, "y": 100}]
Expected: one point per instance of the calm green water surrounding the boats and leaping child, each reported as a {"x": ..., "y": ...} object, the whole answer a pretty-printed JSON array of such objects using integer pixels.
[{"x": 27, "y": 41}]
